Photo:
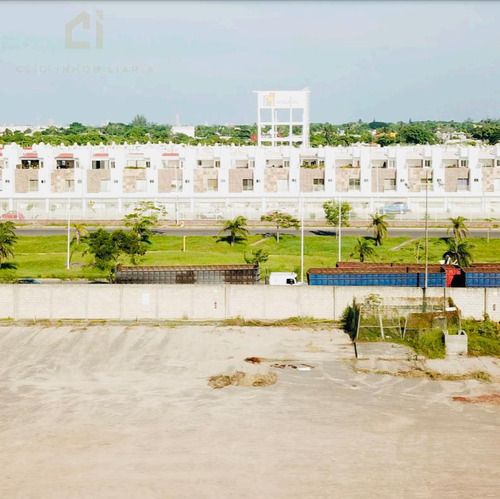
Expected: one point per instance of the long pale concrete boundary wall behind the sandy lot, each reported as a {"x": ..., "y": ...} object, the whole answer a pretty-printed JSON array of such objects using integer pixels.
[{"x": 216, "y": 302}]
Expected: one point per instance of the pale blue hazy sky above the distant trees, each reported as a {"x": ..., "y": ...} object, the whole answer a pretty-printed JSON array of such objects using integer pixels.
[{"x": 201, "y": 61}]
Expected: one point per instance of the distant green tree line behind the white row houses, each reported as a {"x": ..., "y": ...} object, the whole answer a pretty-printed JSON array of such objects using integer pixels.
[{"x": 141, "y": 131}]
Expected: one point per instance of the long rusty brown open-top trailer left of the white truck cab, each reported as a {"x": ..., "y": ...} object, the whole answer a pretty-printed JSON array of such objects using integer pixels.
[{"x": 188, "y": 274}]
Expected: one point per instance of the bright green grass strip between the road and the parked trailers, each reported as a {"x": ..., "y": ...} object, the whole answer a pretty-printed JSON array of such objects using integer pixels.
[{"x": 45, "y": 257}]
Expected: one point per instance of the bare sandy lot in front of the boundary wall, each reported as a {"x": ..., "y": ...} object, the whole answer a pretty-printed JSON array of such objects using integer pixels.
[{"x": 126, "y": 412}]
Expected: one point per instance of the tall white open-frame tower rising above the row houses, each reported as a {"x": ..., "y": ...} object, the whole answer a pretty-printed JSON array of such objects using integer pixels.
[{"x": 278, "y": 113}]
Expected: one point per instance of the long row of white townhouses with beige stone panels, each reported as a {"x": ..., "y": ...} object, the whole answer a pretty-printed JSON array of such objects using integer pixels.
[{"x": 200, "y": 182}]
